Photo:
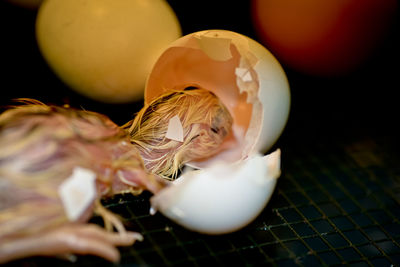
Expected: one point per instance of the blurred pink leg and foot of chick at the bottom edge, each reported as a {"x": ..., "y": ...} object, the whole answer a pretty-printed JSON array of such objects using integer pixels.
[{"x": 69, "y": 239}]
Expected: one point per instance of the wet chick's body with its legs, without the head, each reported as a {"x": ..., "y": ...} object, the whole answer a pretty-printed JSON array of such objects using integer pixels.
[{"x": 40, "y": 147}]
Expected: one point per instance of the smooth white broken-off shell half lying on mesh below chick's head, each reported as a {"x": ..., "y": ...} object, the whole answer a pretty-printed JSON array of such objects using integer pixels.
[{"x": 222, "y": 198}]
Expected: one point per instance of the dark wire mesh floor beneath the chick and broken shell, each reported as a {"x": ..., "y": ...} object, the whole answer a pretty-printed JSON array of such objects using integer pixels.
[{"x": 334, "y": 204}]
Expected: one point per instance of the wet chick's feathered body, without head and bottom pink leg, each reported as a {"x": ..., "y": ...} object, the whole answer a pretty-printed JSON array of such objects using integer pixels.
[{"x": 40, "y": 147}]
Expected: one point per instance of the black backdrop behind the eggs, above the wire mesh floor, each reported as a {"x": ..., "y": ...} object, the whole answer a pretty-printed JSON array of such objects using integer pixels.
[{"x": 364, "y": 102}]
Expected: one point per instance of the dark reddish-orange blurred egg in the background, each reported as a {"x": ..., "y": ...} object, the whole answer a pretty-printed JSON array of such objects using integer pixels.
[{"x": 329, "y": 37}]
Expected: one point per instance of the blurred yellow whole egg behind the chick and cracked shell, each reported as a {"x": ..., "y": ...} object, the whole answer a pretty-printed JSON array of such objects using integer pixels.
[{"x": 105, "y": 49}]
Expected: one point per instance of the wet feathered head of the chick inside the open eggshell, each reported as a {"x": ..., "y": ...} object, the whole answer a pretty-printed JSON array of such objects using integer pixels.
[{"x": 205, "y": 120}]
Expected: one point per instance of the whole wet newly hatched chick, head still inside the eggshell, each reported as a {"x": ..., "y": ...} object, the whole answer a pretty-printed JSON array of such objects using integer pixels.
[{"x": 41, "y": 146}]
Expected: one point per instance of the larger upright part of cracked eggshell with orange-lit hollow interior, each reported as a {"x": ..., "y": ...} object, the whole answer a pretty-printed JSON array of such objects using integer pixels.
[{"x": 242, "y": 73}]
